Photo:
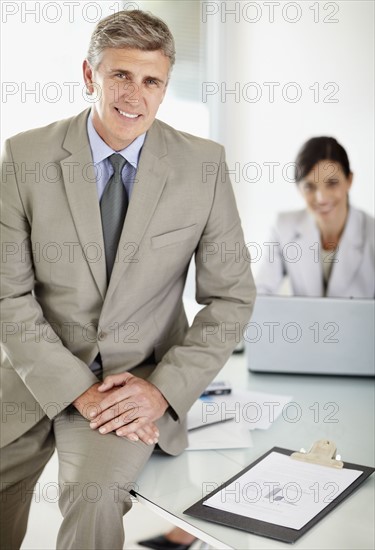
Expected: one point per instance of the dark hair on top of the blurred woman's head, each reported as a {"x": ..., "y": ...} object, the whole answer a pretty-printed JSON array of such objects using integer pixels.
[{"x": 317, "y": 149}]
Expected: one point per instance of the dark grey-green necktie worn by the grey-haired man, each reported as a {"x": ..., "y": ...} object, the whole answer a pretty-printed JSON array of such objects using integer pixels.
[{"x": 113, "y": 206}]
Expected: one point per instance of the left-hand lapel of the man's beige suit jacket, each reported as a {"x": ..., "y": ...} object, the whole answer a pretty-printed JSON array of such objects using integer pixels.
[{"x": 80, "y": 184}]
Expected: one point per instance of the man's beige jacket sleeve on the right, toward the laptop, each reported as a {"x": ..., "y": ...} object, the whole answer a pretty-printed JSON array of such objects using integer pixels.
[{"x": 224, "y": 285}]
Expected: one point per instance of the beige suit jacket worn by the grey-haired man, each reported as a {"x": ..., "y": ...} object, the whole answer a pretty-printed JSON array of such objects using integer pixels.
[{"x": 57, "y": 311}]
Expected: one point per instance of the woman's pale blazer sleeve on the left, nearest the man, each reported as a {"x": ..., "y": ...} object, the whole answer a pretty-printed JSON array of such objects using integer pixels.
[{"x": 272, "y": 269}]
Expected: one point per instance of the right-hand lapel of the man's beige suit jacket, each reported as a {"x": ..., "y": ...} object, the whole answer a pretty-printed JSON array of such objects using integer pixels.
[{"x": 150, "y": 179}]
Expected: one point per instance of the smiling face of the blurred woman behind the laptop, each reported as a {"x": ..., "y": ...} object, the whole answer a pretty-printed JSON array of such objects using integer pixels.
[{"x": 325, "y": 190}]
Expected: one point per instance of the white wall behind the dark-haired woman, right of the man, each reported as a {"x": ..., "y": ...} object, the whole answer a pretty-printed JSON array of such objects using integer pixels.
[{"x": 304, "y": 52}]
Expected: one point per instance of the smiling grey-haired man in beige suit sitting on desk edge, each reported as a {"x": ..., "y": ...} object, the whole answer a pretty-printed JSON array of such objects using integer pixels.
[{"x": 98, "y": 359}]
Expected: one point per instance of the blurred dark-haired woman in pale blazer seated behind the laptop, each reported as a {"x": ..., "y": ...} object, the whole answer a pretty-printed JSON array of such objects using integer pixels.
[{"x": 326, "y": 249}]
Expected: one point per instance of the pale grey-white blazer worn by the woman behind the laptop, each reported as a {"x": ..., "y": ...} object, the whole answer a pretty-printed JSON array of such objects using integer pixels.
[{"x": 295, "y": 241}]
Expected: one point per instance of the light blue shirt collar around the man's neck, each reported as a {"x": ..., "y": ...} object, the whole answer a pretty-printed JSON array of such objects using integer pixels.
[{"x": 100, "y": 150}]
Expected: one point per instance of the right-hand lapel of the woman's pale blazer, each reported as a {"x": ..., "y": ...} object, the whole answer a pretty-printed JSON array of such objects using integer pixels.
[{"x": 348, "y": 256}]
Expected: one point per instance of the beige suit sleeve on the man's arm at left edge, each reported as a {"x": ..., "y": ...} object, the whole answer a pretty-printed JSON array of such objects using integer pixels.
[{"x": 49, "y": 370}]
